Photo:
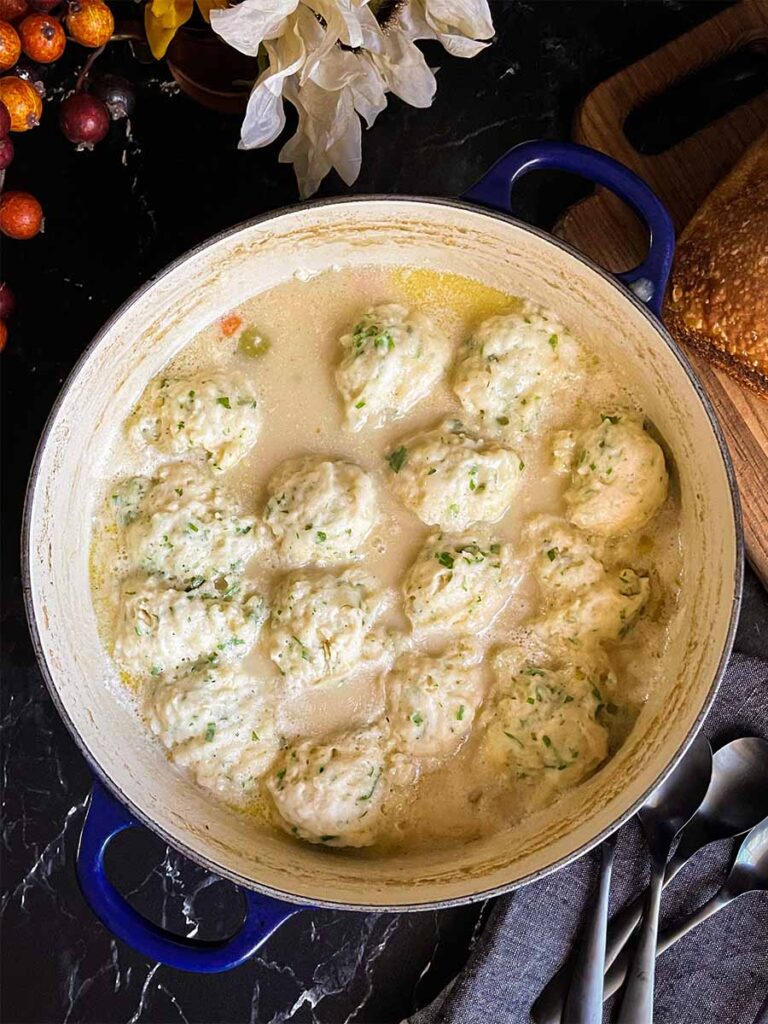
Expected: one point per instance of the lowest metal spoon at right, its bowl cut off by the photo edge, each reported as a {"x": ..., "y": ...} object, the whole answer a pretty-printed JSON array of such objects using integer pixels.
[{"x": 750, "y": 874}]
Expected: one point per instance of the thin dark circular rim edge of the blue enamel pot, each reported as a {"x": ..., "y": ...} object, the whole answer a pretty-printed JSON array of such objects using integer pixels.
[{"x": 203, "y": 861}]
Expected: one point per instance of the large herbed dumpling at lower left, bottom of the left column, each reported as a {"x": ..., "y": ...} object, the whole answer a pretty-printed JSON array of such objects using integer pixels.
[{"x": 220, "y": 723}]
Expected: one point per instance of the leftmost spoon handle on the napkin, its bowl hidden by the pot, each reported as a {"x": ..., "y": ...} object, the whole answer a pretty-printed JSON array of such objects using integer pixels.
[{"x": 585, "y": 1002}]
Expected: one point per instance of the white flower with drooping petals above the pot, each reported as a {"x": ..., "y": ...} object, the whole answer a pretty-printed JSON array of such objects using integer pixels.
[{"x": 335, "y": 64}]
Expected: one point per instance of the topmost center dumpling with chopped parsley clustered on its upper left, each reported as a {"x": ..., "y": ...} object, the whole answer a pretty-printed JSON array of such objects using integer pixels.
[{"x": 393, "y": 359}]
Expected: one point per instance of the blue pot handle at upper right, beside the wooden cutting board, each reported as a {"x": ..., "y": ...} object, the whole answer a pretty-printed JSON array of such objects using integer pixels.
[{"x": 648, "y": 281}]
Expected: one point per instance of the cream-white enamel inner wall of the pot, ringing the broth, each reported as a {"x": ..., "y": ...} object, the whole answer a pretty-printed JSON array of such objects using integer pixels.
[{"x": 167, "y": 315}]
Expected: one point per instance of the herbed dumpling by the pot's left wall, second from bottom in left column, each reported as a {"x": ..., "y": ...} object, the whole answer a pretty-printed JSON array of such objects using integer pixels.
[{"x": 161, "y": 630}]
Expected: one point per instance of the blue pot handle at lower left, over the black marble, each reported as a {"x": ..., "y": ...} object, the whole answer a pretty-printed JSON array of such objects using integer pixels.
[{"x": 105, "y": 819}]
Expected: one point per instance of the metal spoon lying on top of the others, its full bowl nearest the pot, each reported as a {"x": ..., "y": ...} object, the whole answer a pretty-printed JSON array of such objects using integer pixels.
[{"x": 662, "y": 818}]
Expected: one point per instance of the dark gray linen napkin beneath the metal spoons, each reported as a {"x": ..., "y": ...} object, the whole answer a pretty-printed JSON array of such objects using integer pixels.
[{"x": 718, "y": 974}]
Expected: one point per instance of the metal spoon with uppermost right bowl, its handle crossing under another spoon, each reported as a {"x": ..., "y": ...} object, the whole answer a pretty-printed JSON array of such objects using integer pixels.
[{"x": 737, "y": 800}]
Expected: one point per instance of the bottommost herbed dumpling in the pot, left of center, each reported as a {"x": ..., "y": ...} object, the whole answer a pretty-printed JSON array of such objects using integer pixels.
[{"x": 332, "y": 792}]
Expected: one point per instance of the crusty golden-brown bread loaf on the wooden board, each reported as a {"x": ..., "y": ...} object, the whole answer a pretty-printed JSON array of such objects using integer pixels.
[{"x": 718, "y": 303}]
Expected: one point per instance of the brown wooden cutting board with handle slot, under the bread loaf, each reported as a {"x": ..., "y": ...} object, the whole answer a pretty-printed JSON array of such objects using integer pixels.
[{"x": 607, "y": 230}]
